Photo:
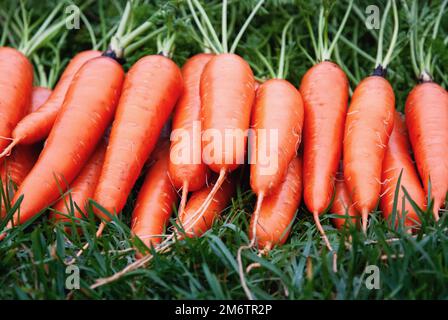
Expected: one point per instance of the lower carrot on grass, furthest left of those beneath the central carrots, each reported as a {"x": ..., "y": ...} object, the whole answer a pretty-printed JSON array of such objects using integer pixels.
[{"x": 155, "y": 202}]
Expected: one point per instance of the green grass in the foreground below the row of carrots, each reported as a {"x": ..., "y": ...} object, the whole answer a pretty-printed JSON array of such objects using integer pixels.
[{"x": 411, "y": 267}]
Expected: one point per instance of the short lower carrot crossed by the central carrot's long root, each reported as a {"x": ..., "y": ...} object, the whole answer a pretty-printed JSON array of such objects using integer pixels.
[{"x": 220, "y": 202}]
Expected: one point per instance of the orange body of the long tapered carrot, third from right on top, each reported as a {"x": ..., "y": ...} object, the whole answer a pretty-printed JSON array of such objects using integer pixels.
[{"x": 324, "y": 89}]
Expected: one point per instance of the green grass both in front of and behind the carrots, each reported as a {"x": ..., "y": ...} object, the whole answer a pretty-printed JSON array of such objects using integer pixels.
[{"x": 33, "y": 257}]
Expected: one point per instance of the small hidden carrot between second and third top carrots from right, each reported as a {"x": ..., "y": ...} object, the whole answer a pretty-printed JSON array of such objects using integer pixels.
[{"x": 342, "y": 204}]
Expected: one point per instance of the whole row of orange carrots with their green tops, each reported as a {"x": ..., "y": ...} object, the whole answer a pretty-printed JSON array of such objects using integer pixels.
[{"x": 78, "y": 148}]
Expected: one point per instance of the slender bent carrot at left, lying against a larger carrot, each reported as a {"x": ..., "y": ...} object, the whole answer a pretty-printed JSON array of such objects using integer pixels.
[{"x": 37, "y": 125}]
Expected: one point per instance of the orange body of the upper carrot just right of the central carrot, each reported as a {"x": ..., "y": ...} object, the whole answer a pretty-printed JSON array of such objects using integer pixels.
[{"x": 278, "y": 107}]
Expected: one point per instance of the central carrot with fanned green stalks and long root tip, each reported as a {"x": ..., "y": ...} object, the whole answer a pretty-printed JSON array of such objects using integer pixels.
[{"x": 227, "y": 92}]
